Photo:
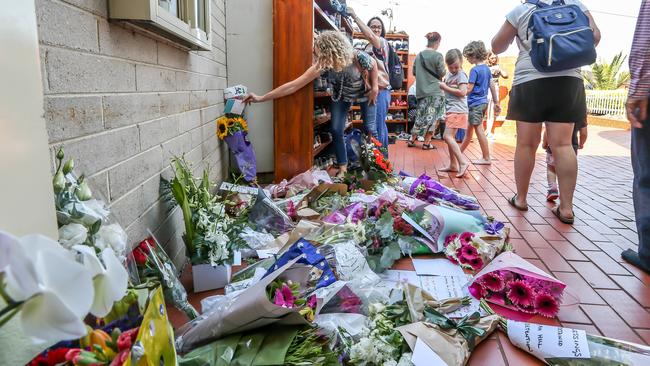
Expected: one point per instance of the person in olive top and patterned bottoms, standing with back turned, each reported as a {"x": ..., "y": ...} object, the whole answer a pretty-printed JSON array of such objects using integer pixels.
[{"x": 428, "y": 68}]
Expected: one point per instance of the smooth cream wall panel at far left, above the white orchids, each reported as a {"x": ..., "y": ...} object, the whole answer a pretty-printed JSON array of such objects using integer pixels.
[{"x": 25, "y": 184}]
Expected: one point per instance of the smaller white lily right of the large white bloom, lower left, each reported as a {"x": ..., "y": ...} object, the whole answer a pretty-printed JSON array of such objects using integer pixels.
[{"x": 110, "y": 278}]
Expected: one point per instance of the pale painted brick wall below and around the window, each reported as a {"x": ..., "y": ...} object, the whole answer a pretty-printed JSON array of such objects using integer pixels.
[{"x": 123, "y": 102}]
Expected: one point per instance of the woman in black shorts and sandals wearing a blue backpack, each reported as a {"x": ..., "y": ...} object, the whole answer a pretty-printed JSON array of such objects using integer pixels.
[{"x": 555, "y": 38}]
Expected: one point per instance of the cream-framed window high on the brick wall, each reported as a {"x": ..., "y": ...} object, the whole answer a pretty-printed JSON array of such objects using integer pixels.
[{"x": 186, "y": 22}]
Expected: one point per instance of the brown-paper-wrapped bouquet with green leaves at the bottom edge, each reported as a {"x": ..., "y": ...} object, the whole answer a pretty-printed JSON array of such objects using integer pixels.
[{"x": 453, "y": 341}]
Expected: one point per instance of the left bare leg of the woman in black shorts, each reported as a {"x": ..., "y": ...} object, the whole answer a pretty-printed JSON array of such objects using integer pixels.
[{"x": 528, "y": 138}]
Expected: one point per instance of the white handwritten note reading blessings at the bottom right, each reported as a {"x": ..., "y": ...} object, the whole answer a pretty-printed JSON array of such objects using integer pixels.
[{"x": 545, "y": 341}]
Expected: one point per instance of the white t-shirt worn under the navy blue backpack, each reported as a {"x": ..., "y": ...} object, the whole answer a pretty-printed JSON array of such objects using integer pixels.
[{"x": 524, "y": 69}]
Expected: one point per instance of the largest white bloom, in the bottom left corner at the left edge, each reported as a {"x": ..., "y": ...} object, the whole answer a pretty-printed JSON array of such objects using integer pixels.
[{"x": 53, "y": 292}]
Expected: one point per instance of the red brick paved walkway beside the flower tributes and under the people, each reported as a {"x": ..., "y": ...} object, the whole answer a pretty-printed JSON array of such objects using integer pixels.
[{"x": 614, "y": 296}]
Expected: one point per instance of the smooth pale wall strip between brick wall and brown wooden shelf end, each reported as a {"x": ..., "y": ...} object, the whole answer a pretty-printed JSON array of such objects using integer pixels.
[{"x": 249, "y": 45}]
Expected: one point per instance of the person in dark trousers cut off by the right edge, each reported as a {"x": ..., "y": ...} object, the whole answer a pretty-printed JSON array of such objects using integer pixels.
[{"x": 638, "y": 112}]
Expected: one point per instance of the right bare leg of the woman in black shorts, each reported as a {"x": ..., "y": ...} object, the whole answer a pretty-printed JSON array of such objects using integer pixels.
[{"x": 566, "y": 163}]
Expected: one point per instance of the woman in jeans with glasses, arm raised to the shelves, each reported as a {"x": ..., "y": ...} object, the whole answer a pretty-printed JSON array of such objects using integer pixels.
[{"x": 375, "y": 32}]
